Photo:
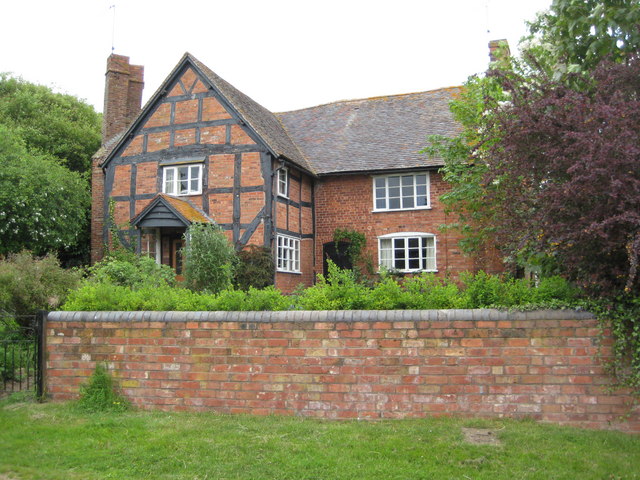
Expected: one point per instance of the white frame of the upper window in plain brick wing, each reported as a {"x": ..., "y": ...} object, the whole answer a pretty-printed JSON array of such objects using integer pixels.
[{"x": 383, "y": 191}]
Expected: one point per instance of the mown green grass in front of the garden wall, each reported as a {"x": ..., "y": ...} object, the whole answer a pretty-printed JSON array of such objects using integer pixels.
[{"x": 57, "y": 441}]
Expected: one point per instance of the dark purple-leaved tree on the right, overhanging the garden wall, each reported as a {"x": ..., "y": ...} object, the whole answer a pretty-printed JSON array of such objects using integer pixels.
[{"x": 565, "y": 174}]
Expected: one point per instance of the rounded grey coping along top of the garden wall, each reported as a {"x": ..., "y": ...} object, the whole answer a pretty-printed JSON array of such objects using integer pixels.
[{"x": 297, "y": 316}]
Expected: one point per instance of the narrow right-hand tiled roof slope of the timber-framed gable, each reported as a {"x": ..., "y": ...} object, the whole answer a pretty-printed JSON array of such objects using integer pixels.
[{"x": 259, "y": 118}]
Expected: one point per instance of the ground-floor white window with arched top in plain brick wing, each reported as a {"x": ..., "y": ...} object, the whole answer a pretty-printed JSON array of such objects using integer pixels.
[{"x": 408, "y": 252}]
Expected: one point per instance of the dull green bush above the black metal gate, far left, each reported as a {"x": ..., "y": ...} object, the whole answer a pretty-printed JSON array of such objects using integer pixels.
[{"x": 29, "y": 284}]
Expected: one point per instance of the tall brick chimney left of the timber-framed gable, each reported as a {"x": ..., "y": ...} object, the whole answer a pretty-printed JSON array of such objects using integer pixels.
[{"x": 122, "y": 95}]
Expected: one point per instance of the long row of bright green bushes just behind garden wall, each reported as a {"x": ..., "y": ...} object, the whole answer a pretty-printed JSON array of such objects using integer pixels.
[{"x": 338, "y": 291}]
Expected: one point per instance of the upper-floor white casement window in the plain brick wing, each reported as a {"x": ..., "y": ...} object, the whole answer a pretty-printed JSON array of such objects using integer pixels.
[{"x": 401, "y": 192}]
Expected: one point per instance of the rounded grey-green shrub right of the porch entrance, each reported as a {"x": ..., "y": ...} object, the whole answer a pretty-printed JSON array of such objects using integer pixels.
[{"x": 210, "y": 259}]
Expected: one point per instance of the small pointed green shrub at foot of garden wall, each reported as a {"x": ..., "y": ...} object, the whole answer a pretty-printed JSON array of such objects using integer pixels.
[{"x": 100, "y": 394}]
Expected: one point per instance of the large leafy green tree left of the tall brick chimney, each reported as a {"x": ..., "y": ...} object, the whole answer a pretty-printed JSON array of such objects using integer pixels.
[{"x": 46, "y": 143}]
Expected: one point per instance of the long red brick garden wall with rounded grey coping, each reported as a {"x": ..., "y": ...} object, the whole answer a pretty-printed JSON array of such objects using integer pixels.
[{"x": 346, "y": 364}]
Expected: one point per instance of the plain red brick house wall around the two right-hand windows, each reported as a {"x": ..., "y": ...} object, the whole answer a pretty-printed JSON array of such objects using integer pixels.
[{"x": 347, "y": 202}]
